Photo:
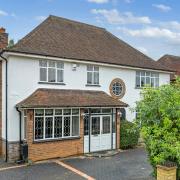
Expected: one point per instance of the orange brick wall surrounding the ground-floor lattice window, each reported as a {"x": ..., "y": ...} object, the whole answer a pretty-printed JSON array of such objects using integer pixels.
[{"x": 52, "y": 149}]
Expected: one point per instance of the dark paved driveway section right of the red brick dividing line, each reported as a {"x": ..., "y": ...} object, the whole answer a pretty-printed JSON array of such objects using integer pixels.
[{"x": 129, "y": 165}]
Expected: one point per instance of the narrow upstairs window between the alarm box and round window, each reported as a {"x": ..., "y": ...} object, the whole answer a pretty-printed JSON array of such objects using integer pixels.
[{"x": 92, "y": 75}]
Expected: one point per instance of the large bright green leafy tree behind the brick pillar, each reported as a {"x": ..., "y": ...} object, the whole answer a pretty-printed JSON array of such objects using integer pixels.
[{"x": 159, "y": 122}]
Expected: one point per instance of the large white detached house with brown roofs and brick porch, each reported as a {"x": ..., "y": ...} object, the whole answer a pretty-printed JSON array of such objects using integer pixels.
[{"x": 65, "y": 86}]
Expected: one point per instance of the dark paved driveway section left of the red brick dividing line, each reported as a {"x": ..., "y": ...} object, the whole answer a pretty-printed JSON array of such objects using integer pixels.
[{"x": 45, "y": 171}]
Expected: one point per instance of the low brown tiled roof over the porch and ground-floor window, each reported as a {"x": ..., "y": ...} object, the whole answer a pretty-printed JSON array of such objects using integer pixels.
[{"x": 69, "y": 98}]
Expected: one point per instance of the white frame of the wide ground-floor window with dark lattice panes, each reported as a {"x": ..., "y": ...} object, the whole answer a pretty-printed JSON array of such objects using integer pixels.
[{"x": 44, "y": 125}]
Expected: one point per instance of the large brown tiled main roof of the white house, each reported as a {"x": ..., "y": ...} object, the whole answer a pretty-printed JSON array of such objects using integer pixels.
[{"x": 59, "y": 37}]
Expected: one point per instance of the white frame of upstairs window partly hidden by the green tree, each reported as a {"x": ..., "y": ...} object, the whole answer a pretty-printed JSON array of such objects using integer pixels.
[{"x": 156, "y": 77}]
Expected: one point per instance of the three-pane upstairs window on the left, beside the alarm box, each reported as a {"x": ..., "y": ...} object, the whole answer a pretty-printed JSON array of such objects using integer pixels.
[{"x": 51, "y": 71}]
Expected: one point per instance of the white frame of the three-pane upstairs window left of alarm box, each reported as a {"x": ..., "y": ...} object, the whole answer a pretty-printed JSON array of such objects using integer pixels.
[{"x": 49, "y": 67}]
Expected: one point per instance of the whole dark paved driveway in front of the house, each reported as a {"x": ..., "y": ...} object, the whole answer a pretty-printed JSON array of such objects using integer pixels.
[{"x": 129, "y": 165}]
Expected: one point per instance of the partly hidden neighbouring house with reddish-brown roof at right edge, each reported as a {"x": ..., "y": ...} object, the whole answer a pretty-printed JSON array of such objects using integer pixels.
[{"x": 172, "y": 62}]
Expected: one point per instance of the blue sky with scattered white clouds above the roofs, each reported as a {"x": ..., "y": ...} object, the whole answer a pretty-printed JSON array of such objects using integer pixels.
[{"x": 152, "y": 26}]
